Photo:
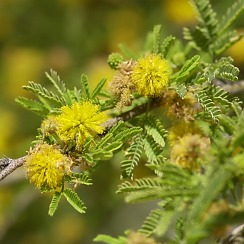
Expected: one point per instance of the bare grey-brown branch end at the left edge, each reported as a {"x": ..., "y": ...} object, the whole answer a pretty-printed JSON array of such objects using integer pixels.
[{"x": 9, "y": 165}]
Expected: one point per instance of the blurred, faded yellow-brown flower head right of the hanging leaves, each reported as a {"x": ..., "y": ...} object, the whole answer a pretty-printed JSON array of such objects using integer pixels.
[{"x": 189, "y": 150}]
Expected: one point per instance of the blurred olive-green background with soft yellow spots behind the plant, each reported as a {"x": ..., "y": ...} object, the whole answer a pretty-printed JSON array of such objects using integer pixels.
[{"x": 72, "y": 37}]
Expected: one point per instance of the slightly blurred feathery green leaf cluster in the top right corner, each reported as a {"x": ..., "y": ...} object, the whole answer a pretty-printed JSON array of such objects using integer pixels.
[{"x": 210, "y": 35}]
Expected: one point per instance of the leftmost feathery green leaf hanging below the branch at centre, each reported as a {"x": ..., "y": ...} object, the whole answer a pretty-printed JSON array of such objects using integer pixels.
[{"x": 133, "y": 156}]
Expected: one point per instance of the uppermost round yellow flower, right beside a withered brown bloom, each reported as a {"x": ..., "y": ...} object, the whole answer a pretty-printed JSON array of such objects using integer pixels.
[{"x": 151, "y": 75}]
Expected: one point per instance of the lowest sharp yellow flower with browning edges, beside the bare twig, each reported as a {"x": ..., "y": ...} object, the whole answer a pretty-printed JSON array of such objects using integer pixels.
[{"x": 46, "y": 166}]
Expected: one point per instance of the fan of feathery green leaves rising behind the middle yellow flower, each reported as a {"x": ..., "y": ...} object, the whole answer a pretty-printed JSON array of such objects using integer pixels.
[{"x": 50, "y": 102}]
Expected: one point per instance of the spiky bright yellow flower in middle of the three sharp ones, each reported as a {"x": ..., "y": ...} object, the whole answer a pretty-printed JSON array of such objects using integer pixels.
[{"x": 80, "y": 121}]
